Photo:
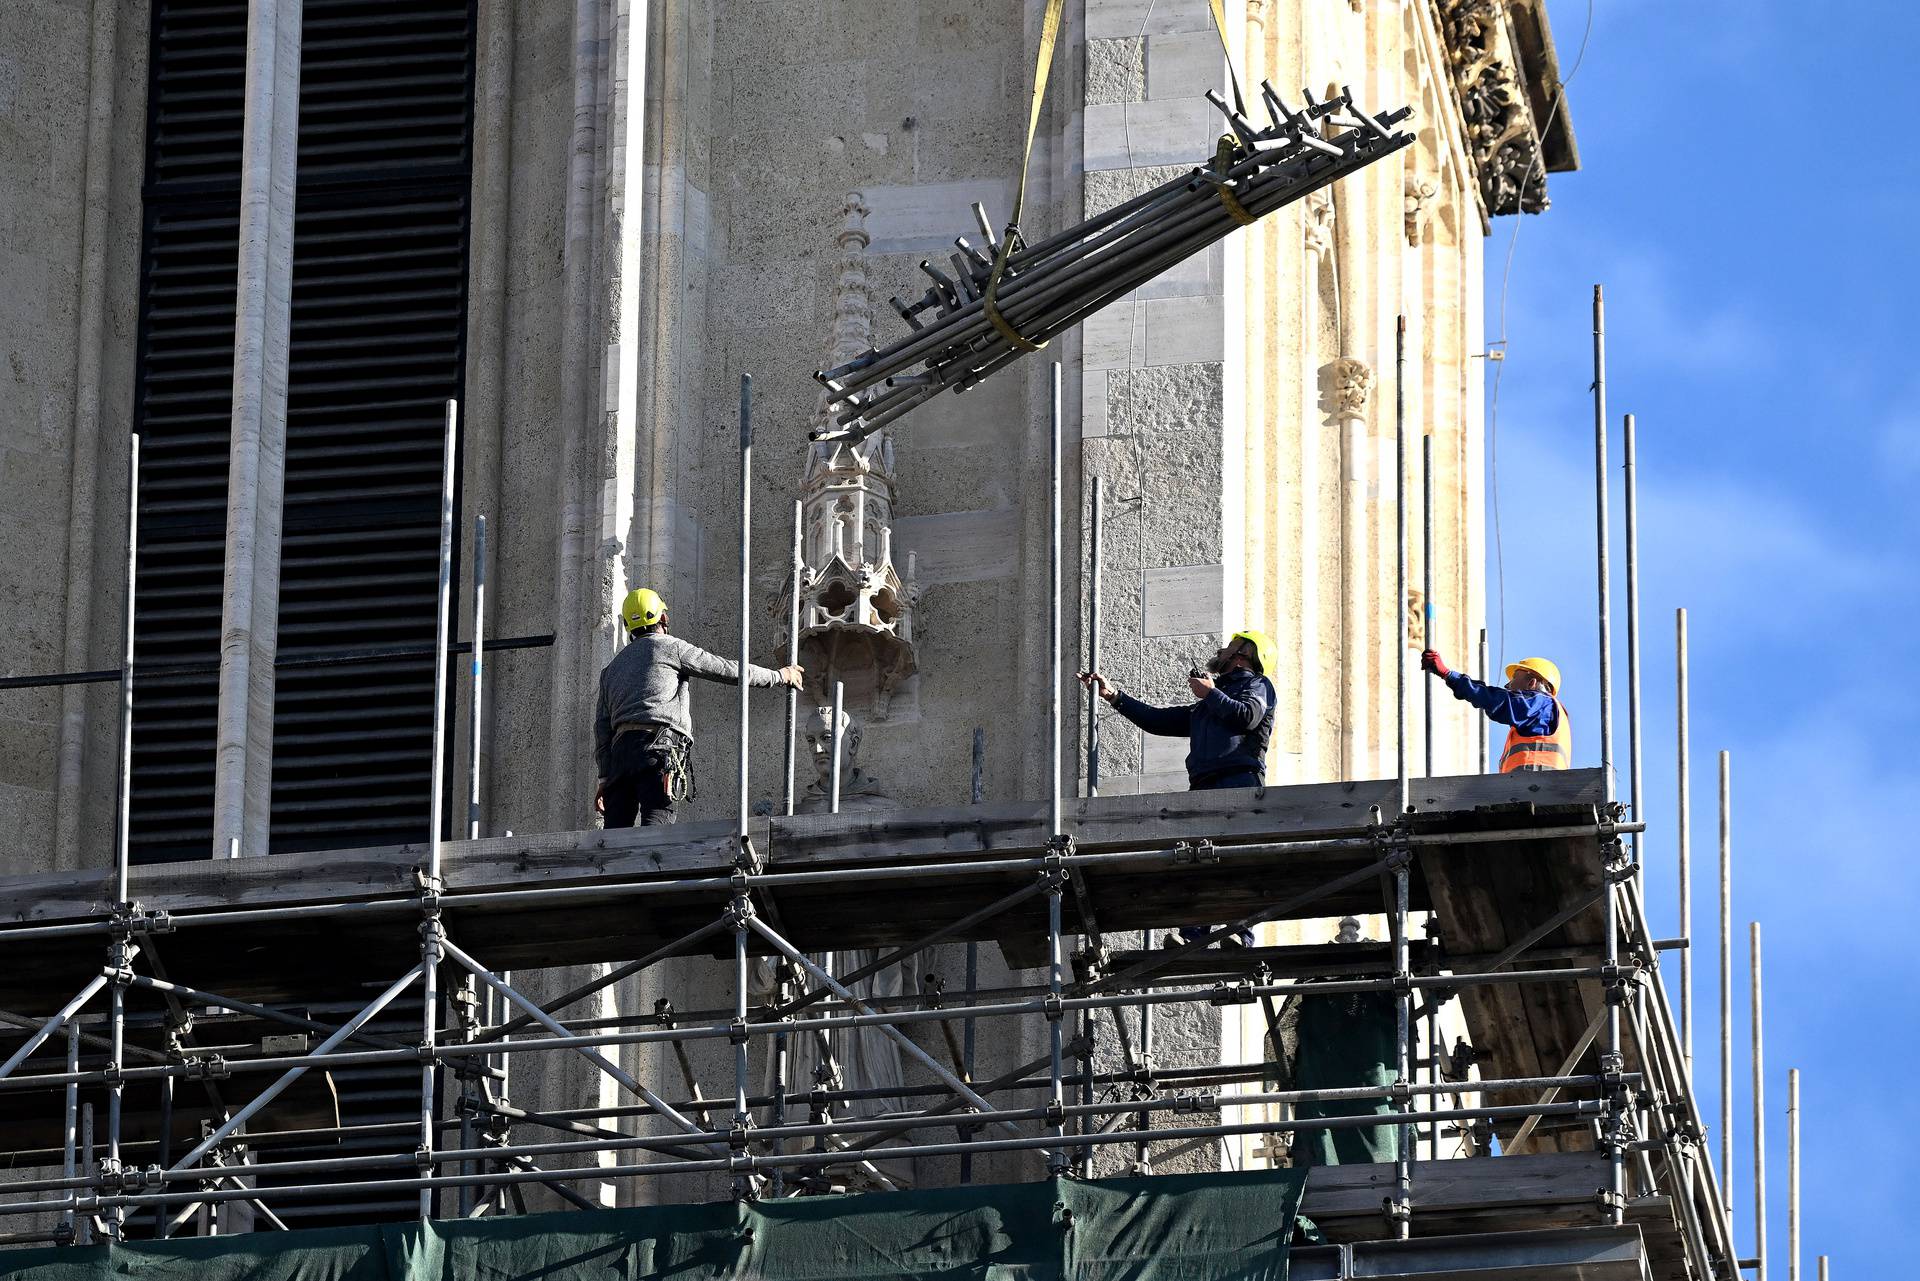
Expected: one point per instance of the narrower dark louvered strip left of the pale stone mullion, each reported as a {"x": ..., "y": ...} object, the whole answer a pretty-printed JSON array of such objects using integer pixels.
[{"x": 185, "y": 412}]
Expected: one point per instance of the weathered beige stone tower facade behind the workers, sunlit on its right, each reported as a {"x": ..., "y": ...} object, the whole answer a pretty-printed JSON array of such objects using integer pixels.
[{"x": 658, "y": 191}]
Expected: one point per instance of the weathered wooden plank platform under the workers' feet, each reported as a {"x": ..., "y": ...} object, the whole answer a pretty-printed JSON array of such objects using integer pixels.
[{"x": 683, "y": 871}]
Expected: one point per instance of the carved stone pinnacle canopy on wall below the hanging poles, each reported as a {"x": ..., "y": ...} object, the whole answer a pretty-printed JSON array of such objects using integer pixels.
[{"x": 855, "y": 606}]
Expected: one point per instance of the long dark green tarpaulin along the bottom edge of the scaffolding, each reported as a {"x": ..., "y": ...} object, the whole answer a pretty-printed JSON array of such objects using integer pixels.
[{"x": 1161, "y": 1228}]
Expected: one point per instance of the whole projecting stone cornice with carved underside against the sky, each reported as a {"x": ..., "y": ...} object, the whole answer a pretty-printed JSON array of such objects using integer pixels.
[{"x": 1506, "y": 78}]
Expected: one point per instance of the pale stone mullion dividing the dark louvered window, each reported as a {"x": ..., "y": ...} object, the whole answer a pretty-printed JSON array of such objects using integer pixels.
[{"x": 243, "y": 771}]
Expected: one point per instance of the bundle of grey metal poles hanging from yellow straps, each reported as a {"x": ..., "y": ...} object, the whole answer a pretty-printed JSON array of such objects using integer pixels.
[{"x": 971, "y": 326}]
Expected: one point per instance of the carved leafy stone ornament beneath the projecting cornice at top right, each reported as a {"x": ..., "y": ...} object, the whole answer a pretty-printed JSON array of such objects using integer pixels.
[{"x": 1502, "y": 135}]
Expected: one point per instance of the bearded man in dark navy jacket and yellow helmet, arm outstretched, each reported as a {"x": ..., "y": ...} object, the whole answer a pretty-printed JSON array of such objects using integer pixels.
[{"x": 1228, "y": 727}]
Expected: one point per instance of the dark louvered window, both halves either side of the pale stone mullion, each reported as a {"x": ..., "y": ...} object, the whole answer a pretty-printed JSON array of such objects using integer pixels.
[{"x": 377, "y": 345}]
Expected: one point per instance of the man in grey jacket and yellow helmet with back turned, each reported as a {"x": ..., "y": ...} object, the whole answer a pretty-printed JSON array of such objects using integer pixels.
[{"x": 644, "y": 721}]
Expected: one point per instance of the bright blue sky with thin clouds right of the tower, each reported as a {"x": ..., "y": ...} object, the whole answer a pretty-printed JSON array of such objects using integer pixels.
[{"x": 1750, "y": 199}]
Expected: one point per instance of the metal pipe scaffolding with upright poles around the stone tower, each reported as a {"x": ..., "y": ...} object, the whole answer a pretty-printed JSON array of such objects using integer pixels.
[{"x": 454, "y": 923}]
